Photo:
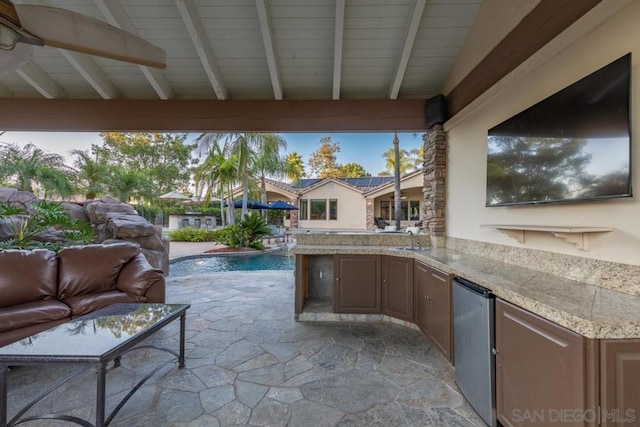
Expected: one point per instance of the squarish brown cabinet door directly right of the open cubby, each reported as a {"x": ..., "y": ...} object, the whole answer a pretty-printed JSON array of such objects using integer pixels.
[{"x": 356, "y": 284}]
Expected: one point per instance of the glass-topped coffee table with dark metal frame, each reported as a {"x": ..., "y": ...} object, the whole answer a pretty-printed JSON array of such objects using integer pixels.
[{"x": 96, "y": 338}]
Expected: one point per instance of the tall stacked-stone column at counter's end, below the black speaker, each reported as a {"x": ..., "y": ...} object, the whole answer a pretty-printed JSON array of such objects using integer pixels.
[{"x": 434, "y": 188}]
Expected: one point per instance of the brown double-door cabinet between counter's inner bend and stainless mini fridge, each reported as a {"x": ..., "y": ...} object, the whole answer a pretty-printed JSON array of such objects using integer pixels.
[{"x": 433, "y": 306}]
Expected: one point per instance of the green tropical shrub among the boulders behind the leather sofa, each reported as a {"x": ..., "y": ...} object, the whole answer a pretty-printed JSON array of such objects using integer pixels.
[{"x": 48, "y": 225}]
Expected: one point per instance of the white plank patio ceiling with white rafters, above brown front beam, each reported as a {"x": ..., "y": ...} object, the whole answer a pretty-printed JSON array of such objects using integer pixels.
[{"x": 260, "y": 49}]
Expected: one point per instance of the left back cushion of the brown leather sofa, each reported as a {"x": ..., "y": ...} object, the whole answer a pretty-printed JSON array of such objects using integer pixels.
[{"x": 27, "y": 276}]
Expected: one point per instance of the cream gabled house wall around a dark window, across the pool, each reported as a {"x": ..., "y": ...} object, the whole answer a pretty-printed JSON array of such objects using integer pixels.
[{"x": 351, "y": 207}]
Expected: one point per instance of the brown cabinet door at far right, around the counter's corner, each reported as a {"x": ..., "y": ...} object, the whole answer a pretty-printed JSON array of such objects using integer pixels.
[{"x": 620, "y": 380}]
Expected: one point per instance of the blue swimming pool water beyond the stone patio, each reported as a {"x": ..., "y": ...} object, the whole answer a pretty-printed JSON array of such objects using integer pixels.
[{"x": 213, "y": 264}]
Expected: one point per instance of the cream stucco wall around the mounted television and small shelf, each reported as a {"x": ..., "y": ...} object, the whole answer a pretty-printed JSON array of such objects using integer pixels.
[{"x": 467, "y": 140}]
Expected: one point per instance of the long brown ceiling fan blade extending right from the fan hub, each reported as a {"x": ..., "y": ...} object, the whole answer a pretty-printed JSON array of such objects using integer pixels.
[{"x": 73, "y": 31}]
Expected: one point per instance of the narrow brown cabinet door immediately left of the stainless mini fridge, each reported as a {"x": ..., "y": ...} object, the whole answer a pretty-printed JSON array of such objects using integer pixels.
[{"x": 439, "y": 312}]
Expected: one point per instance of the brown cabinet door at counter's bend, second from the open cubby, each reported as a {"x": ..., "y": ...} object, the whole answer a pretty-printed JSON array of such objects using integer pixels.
[{"x": 397, "y": 287}]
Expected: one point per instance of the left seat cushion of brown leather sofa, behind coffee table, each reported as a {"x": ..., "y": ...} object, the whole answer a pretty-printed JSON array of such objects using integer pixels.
[{"x": 32, "y": 313}]
